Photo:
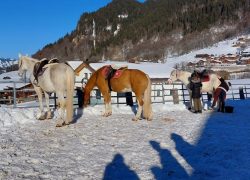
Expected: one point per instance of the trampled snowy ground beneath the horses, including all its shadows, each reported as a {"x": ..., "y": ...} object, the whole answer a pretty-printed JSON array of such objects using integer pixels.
[{"x": 177, "y": 144}]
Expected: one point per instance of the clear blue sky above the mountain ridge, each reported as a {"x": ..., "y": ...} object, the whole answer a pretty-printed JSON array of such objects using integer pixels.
[{"x": 28, "y": 25}]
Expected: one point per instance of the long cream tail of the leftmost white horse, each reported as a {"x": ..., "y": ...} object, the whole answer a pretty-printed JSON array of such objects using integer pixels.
[{"x": 70, "y": 93}]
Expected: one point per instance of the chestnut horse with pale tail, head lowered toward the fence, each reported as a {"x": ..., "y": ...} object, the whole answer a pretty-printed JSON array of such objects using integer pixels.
[{"x": 129, "y": 80}]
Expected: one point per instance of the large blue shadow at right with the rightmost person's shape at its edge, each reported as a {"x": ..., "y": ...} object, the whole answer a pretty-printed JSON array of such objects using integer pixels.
[{"x": 222, "y": 149}]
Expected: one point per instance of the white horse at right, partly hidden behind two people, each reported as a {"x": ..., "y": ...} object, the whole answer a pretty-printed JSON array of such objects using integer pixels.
[{"x": 184, "y": 76}]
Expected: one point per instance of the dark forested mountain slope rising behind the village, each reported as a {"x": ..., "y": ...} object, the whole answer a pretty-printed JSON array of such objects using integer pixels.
[{"x": 127, "y": 29}]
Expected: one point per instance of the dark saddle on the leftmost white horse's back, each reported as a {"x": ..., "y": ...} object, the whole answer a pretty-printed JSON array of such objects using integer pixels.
[{"x": 40, "y": 67}]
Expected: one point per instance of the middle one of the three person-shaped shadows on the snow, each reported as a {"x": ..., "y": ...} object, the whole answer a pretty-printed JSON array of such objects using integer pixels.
[{"x": 170, "y": 167}]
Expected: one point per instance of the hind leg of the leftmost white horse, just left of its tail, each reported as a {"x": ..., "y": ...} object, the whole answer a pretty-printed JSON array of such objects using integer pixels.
[{"x": 61, "y": 110}]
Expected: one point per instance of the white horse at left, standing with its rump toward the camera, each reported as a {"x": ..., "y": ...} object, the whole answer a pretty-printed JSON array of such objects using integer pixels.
[{"x": 57, "y": 78}]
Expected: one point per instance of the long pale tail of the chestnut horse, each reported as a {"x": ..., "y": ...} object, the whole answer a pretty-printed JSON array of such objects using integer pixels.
[{"x": 147, "y": 107}]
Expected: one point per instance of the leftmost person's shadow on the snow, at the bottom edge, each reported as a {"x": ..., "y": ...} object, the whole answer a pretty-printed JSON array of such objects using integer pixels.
[{"x": 117, "y": 169}]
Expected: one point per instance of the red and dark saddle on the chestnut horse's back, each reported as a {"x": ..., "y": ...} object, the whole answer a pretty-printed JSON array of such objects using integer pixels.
[{"x": 111, "y": 71}]
